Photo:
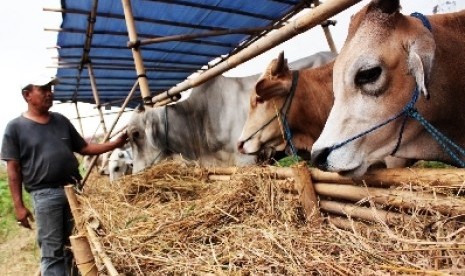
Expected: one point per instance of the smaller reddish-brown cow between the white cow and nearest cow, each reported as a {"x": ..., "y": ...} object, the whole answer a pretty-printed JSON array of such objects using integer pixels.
[{"x": 306, "y": 109}]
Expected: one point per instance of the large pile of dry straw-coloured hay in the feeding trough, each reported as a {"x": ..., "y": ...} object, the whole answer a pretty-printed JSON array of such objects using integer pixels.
[{"x": 169, "y": 221}]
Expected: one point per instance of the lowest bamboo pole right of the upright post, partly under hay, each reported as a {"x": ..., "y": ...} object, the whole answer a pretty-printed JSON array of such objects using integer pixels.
[{"x": 364, "y": 213}]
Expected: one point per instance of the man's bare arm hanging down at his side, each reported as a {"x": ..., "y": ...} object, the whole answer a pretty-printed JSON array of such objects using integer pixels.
[{"x": 15, "y": 179}]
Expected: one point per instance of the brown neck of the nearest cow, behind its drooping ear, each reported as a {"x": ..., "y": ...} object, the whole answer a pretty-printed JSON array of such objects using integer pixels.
[{"x": 447, "y": 84}]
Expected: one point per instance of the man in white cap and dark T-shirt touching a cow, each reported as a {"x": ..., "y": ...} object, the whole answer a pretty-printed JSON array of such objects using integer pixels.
[{"x": 39, "y": 147}]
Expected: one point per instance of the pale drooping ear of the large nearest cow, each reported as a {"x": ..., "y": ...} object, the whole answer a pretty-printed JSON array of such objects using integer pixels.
[{"x": 420, "y": 60}]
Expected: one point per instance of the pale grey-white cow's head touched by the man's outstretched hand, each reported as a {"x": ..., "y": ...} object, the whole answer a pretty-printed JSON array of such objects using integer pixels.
[{"x": 142, "y": 130}]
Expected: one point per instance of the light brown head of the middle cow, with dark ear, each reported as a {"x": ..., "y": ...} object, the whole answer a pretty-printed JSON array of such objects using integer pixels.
[{"x": 262, "y": 130}]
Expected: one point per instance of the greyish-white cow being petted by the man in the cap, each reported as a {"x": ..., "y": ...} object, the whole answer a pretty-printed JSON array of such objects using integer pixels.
[{"x": 204, "y": 127}]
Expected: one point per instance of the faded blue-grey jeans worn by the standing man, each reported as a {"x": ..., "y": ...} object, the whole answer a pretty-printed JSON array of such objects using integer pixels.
[{"x": 54, "y": 226}]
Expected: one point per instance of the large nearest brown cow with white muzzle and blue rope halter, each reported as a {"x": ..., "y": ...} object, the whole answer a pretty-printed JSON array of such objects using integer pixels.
[{"x": 385, "y": 57}]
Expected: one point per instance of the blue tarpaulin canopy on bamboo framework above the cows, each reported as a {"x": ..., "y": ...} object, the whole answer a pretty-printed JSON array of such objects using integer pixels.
[{"x": 95, "y": 33}]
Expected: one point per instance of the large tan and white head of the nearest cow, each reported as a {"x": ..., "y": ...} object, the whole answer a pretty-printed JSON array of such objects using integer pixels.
[{"x": 385, "y": 56}]
